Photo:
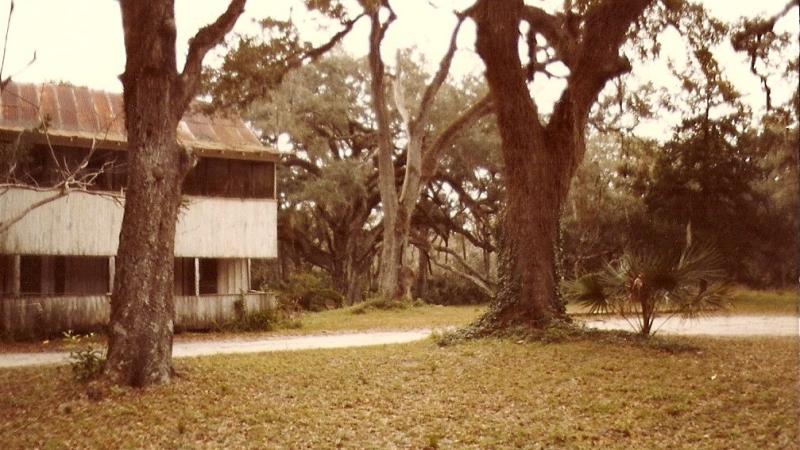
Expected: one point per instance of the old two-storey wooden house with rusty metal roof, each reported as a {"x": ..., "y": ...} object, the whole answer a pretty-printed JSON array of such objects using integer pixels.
[{"x": 57, "y": 261}]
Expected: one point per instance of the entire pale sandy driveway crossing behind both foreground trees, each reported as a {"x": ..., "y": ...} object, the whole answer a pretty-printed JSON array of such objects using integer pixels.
[{"x": 715, "y": 326}]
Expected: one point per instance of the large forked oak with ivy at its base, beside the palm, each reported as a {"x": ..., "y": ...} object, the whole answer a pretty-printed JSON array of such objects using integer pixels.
[{"x": 541, "y": 154}]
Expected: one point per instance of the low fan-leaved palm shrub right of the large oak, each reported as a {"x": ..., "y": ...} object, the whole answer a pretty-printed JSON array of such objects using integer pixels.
[{"x": 644, "y": 283}]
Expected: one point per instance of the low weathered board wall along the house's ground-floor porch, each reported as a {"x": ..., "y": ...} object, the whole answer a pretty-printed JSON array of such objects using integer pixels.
[{"x": 50, "y": 315}]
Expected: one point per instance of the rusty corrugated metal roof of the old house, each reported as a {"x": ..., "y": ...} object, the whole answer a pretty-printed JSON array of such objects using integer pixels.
[{"x": 78, "y": 114}]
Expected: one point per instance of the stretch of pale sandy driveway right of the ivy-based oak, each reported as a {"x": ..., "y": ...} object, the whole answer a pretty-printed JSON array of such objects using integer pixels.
[{"x": 714, "y": 325}]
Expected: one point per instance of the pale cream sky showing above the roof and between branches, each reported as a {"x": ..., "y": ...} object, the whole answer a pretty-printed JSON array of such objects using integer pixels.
[{"x": 80, "y": 41}]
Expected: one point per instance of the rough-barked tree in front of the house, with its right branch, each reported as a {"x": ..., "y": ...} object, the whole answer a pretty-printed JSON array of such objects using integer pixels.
[{"x": 155, "y": 96}]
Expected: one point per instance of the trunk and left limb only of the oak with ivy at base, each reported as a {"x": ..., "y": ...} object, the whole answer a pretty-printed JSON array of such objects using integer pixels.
[{"x": 528, "y": 291}]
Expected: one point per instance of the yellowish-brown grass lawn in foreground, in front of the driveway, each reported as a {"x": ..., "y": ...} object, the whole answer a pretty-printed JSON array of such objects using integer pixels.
[{"x": 734, "y": 393}]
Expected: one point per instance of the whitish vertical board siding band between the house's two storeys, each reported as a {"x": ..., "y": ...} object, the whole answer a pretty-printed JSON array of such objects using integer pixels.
[{"x": 88, "y": 224}]
